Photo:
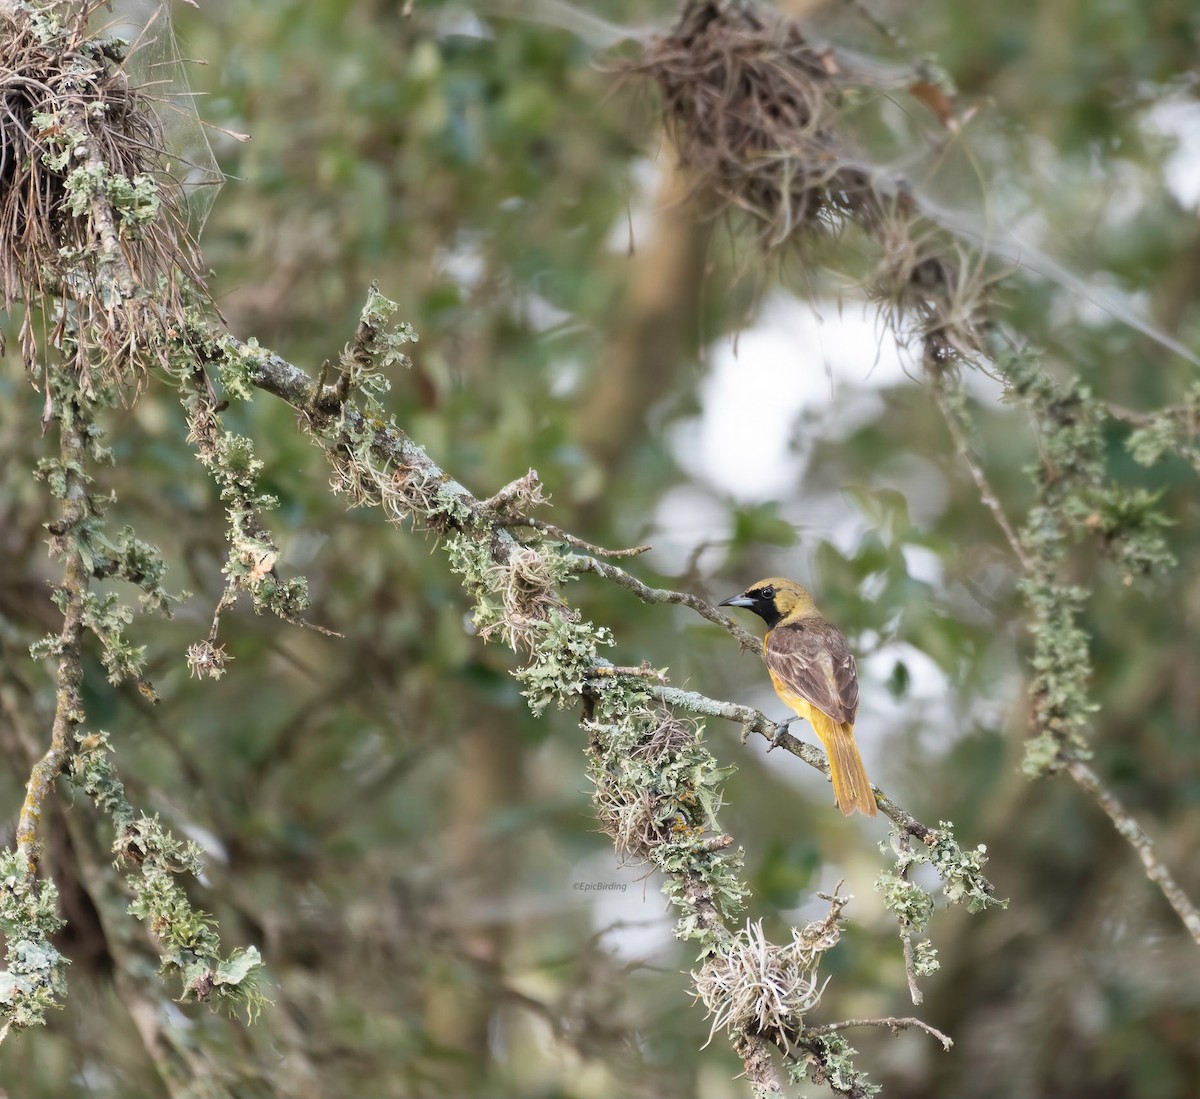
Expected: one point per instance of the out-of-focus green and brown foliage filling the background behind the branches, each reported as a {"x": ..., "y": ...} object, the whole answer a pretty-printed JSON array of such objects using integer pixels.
[{"x": 382, "y": 816}]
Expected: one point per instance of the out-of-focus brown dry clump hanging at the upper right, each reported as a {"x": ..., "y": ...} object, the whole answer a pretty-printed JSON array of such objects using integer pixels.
[{"x": 755, "y": 115}]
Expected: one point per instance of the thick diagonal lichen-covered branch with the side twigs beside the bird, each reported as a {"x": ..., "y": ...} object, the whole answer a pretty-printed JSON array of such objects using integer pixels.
[{"x": 657, "y": 786}]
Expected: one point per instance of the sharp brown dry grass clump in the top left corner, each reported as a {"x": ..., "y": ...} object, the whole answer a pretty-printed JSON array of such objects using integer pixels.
[{"x": 88, "y": 213}]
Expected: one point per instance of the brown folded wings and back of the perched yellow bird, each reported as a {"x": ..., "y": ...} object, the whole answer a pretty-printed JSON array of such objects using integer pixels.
[{"x": 814, "y": 662}]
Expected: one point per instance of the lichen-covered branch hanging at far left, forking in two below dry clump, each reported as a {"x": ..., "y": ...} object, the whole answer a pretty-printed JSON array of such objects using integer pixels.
[{"x": 185, "y": 938}]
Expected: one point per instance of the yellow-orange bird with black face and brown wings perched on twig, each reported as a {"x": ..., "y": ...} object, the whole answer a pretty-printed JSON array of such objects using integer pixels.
[{"x": 814, "y": 675}]
